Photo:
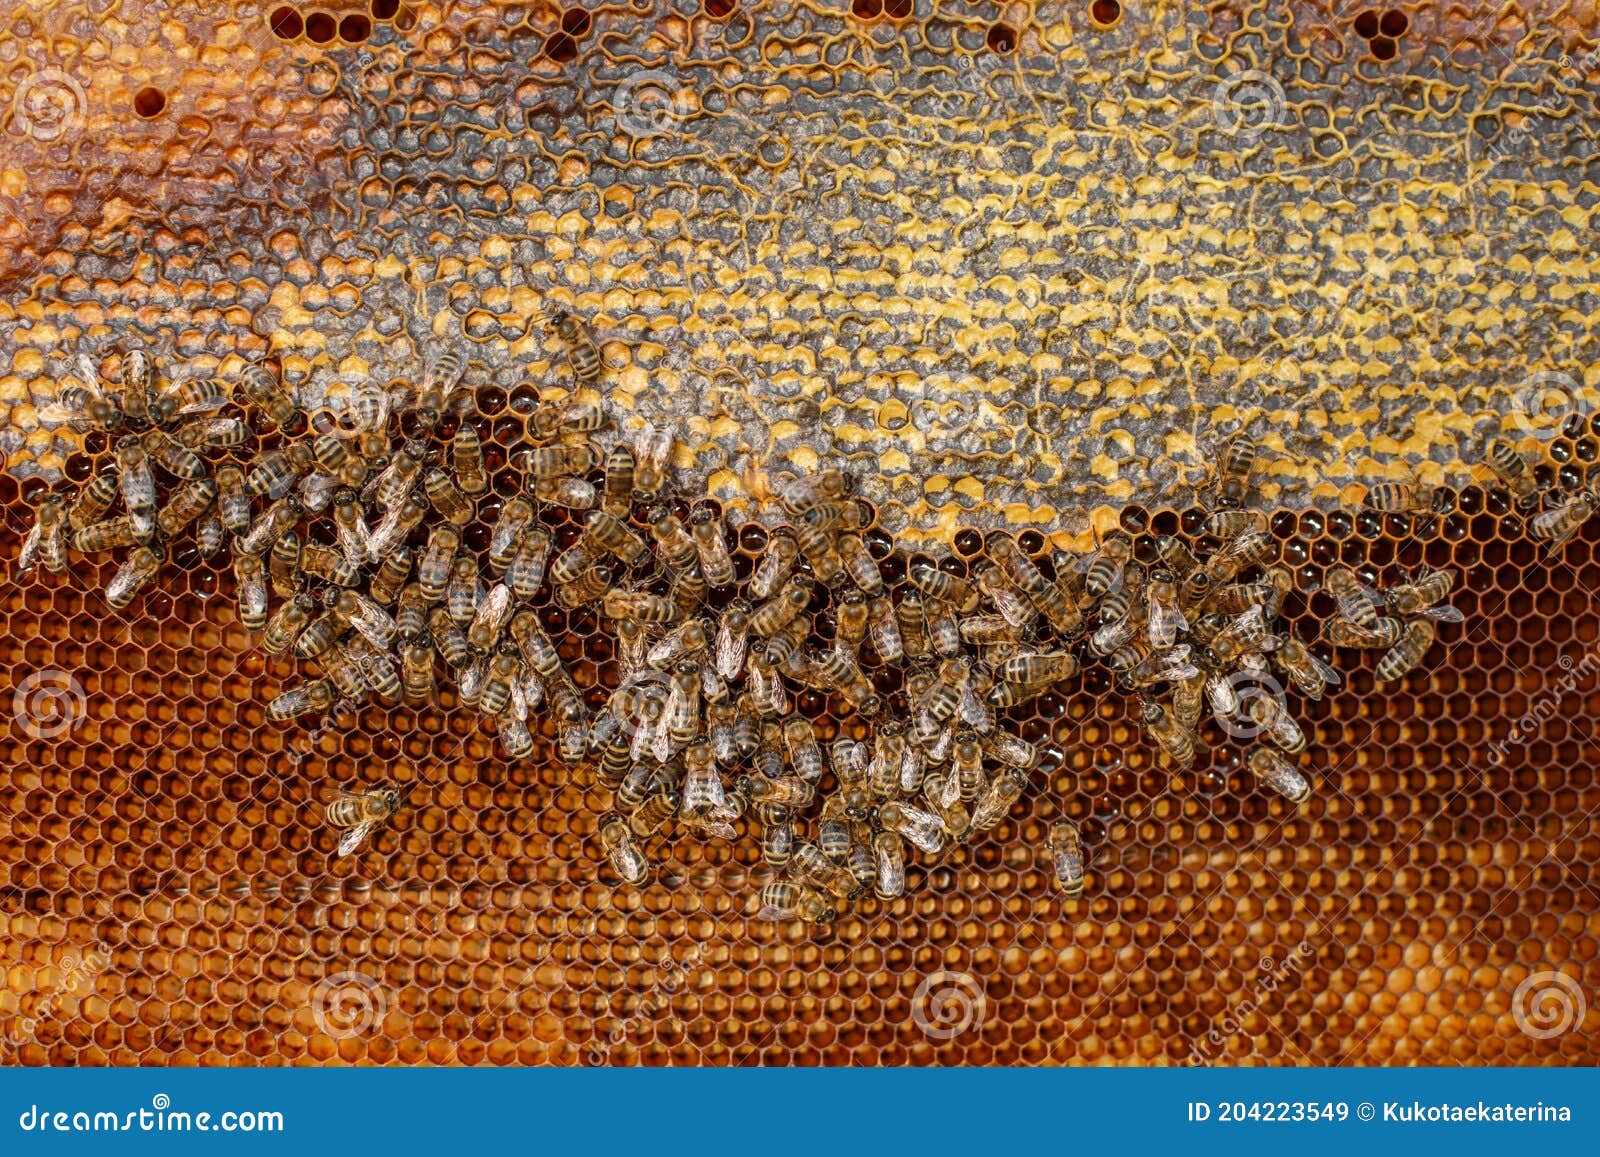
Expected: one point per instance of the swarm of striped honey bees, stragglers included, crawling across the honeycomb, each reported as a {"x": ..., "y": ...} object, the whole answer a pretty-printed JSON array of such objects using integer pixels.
[{"x": 388, "y": 550}]
